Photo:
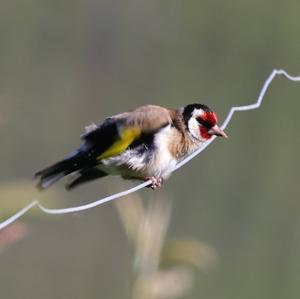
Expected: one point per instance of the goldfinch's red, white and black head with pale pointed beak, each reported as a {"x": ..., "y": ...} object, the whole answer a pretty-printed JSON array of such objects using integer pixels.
[{"x": 201, "y": 122}]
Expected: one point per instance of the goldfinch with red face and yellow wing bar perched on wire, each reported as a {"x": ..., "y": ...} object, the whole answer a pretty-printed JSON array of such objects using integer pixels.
[{"x": 143, "y": 144}]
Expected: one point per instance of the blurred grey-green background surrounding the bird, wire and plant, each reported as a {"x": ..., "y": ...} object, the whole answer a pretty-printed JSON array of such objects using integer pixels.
[{"x": 64, "y": 64}]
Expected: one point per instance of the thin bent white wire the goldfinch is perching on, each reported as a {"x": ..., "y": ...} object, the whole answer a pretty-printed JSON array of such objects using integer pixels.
[{"x": 101, "y": 201}]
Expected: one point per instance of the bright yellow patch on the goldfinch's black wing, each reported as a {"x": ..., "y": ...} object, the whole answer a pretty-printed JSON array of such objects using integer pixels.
[{"x": 128, "y": 135}]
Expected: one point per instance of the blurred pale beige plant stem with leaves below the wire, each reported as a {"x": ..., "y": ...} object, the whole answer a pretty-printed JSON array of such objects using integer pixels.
[{"x": 162, "y": 267}]
